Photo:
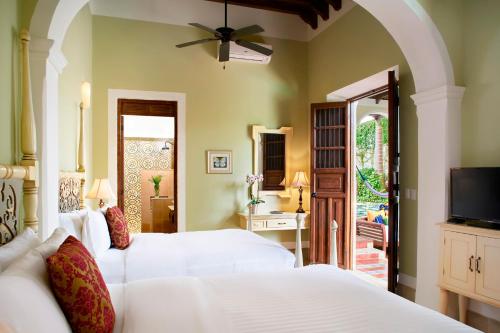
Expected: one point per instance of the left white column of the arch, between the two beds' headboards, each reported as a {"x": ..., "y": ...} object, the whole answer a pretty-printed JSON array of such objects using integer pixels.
[{"x": 46, "y": 65}]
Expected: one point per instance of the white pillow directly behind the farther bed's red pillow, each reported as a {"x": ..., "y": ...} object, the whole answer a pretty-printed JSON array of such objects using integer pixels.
[{"x": 95, "y": 234}]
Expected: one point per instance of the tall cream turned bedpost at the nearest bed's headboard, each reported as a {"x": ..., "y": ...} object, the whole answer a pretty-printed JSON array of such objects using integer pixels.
[{"x": 28, "y": 141}]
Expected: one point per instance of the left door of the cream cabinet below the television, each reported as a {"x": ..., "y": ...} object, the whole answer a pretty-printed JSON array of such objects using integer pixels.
[{"x": 459, "y": 254}]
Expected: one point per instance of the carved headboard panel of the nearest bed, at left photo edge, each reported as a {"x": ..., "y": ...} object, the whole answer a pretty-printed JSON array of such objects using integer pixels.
[{"x": 9, "y": 209}]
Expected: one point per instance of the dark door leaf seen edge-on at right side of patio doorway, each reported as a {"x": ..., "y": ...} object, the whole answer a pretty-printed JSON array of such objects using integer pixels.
[{"x": 393, "y": 113}]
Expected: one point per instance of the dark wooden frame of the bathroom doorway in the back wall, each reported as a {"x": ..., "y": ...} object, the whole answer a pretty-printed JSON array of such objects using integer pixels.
[{"x": 170, "y": 112}]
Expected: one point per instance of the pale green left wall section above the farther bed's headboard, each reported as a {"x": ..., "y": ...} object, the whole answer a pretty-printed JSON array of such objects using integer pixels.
[{"x": 77, "y": 48}]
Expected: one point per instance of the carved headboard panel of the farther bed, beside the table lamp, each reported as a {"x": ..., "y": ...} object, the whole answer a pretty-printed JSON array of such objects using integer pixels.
[{"x": 71, "y": 196}]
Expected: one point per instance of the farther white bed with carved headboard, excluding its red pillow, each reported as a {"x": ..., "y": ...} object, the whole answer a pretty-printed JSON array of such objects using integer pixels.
[{"x": 152, "y": 255}]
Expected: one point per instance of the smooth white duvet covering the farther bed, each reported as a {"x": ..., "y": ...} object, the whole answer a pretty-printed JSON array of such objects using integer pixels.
[{"x": 200, "y": 253}]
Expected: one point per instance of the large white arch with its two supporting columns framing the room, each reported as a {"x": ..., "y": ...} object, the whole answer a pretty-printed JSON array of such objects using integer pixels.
[{"x": 438, "y": 107}]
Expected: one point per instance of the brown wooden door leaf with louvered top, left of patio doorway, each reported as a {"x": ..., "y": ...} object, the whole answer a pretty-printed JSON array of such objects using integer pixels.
[{"x": 330, "y": 154}]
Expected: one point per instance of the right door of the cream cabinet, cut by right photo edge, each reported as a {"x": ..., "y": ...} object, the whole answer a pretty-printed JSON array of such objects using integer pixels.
[{"x": 488, "y": 267}]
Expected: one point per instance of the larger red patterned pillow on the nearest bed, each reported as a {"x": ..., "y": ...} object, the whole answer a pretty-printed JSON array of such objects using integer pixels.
[{"x": 79, "y": 288}]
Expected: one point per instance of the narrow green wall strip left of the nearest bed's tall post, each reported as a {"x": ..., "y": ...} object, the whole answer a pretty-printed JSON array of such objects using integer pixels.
[{"x": 9, "y": 79}]
